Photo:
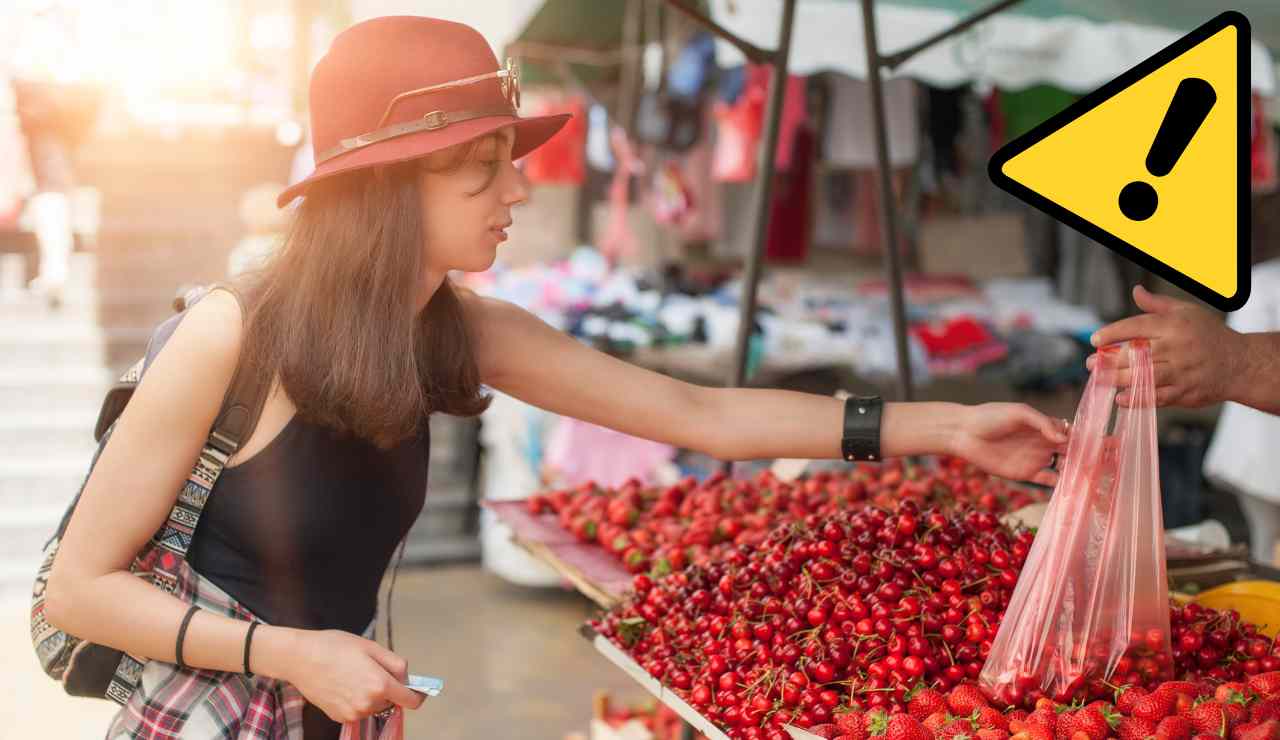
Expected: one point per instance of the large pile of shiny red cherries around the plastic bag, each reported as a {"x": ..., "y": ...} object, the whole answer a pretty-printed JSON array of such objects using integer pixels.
[{"x": 865, "y": 615}]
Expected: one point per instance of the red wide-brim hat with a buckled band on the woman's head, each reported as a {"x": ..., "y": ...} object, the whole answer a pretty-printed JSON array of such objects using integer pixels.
[{"x": 355, "y": 124}]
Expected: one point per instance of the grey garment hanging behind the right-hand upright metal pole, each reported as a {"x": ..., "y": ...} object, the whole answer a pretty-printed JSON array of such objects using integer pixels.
[{"x": 851, "y": 131}]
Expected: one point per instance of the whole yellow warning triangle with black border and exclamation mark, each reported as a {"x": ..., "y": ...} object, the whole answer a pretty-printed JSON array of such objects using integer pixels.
[{"x": 1173, "y": 136}]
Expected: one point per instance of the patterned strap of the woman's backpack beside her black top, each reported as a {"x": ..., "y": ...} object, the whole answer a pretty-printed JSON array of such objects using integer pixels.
[{"x": 234, "y": 427}]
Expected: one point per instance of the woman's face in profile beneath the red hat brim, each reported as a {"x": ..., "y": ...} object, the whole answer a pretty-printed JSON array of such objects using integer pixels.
[{"x": 468, "y": 209}]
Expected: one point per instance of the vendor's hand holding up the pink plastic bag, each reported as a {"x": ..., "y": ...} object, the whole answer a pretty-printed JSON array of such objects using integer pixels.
[{"x": 1194, "y": 353}]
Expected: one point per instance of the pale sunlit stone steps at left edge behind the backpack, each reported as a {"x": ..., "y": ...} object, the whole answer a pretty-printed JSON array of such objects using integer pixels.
[{"x": 53, "y": 377}]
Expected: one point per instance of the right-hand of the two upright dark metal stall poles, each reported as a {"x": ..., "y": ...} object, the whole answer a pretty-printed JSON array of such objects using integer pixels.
[{"x": 889, "y": 213}]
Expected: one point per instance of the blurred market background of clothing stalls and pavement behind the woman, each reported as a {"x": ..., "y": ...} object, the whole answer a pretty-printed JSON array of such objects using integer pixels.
[{"x": 182, "y": 121}]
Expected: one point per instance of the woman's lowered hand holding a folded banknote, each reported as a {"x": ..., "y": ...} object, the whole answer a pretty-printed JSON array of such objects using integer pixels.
[{"x": 349, "y": 678}]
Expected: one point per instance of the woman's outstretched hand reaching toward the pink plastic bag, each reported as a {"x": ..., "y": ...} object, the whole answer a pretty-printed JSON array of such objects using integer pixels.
[{"x": 1012, "y": 441}]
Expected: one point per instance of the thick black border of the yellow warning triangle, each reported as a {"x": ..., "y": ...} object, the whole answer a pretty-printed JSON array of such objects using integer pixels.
[{"x": 1108, "y": 92}]
